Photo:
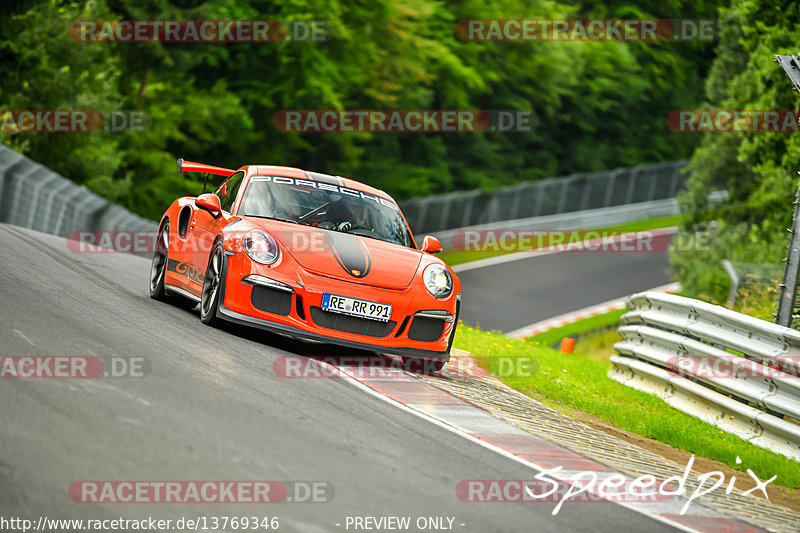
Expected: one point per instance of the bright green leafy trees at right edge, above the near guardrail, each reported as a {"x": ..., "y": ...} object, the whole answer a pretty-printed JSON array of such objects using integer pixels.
[{"x": 757, "y": 169}]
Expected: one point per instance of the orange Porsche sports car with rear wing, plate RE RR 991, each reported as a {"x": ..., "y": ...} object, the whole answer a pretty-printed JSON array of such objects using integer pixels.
[{"x": 317, "y": 257}]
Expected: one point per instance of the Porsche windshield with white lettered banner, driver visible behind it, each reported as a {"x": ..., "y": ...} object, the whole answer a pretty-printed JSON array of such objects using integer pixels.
[{"x": 325, "y": 206}]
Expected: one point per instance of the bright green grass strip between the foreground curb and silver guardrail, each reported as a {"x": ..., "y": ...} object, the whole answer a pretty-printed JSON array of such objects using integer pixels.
[{"x": 573, "y": 383}]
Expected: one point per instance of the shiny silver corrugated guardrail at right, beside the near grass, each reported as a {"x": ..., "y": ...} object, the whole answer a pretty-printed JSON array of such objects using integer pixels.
[{"x": 748, "y": 383}]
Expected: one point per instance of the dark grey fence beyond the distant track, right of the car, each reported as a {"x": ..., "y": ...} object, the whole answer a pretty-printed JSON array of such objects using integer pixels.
[{"x": 547, "y": 197}]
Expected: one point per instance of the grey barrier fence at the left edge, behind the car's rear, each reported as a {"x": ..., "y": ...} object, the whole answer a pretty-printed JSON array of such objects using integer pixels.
[{"x": 35, "y": 197}]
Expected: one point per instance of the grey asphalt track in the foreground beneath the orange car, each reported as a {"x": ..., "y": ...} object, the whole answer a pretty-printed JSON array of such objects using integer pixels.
[{"x": 211, "y": 408}]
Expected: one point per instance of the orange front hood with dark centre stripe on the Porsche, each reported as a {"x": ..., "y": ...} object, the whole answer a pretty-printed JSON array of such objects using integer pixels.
[{"x": 346, "y": 256}]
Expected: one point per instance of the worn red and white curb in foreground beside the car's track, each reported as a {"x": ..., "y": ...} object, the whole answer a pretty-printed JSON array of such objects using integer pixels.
[{"x": 406, "y": 391}]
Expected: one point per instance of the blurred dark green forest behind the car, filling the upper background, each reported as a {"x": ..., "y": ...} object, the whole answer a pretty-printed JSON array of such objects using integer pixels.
[{"x": 600, "y": 105}]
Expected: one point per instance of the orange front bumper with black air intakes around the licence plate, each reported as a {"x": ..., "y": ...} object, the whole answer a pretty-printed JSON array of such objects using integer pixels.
[{"x": 295, "y": 310}]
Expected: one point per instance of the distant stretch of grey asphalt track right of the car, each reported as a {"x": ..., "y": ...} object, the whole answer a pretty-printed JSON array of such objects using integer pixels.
[{"x": 511, "y": 295}]
